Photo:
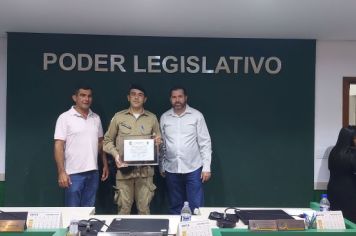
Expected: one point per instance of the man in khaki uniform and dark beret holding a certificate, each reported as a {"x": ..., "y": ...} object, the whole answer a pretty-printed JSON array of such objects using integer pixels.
[{"x": 132, "y": 183}]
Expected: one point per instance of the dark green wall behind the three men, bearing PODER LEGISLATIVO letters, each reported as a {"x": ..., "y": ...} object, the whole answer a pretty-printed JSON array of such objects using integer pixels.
[{"x": 261, "y": 124}]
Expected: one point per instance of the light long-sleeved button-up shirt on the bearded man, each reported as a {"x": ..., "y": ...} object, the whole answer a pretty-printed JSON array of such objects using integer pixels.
[{"x": 187, "y": 141}]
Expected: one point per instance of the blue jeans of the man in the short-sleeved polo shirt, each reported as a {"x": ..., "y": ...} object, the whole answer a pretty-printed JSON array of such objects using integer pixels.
[{"x": 82, "y": 191}]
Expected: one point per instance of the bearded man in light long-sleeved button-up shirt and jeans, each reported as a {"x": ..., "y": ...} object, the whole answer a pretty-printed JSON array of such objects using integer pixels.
[{"x": 187, "y": 157}]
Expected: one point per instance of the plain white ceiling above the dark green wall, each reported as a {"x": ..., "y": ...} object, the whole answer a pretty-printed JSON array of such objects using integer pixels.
[{"x": 298, "y": 19}]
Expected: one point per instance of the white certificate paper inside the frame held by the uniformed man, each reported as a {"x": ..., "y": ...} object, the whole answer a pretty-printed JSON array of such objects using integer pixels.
[{"x": 139, "y": 150}]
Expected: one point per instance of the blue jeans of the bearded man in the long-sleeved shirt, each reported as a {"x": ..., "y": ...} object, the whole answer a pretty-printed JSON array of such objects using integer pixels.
[{"x": 184, "y": 187}]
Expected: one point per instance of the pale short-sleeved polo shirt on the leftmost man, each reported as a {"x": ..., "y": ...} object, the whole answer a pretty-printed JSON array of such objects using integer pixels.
[{"x": 81, "y": 140}]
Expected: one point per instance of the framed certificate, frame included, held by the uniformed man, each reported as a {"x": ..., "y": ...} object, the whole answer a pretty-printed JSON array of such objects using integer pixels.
[{"x": 139, "y": 150}]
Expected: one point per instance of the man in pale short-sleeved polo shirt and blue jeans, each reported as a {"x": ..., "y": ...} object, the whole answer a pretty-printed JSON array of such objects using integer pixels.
[{"x": 78, "y": 140}]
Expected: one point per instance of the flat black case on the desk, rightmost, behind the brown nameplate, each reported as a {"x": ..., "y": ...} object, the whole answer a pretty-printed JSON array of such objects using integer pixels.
[{"x": 246, "y": 215}]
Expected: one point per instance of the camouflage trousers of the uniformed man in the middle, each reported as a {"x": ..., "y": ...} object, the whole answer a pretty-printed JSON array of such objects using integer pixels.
[{"x": 138, "y": 189}]
